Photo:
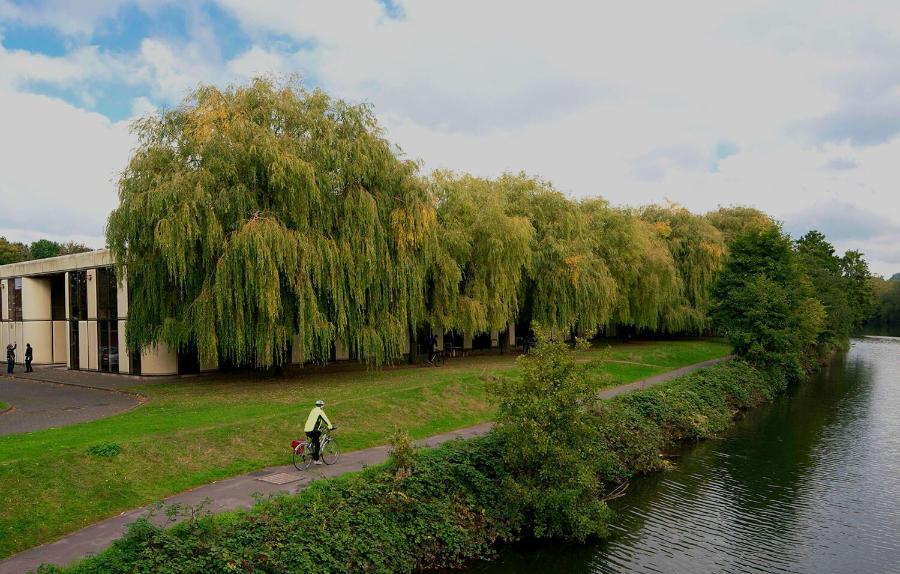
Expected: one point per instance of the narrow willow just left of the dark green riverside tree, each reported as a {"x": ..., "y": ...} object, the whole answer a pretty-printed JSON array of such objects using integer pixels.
[{"x": 697, "y": 249}]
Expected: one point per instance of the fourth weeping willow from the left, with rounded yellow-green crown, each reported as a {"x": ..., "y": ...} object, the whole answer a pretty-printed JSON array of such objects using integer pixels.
[{"x": 638, "y": 260}]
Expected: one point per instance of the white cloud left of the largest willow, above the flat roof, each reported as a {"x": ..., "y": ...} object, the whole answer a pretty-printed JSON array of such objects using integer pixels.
[{"x": 59, "y": 167}]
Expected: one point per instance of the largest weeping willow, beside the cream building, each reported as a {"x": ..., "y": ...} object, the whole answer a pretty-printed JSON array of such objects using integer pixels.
[{"x": 264, "y": 217}]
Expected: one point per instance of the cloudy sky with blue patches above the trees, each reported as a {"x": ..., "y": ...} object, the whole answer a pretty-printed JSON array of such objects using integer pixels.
[{"x": 790, "y": 107}]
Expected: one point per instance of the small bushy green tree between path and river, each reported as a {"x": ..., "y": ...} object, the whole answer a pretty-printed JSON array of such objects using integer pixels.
[{"x": 545, "y": 425}]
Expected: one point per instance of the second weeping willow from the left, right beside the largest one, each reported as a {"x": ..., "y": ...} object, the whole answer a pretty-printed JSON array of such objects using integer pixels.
[{"x": 480, "y": 253}]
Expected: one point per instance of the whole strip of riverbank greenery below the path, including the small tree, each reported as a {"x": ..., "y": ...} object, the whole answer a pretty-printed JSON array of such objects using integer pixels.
[{"x": 462, "y": 499}]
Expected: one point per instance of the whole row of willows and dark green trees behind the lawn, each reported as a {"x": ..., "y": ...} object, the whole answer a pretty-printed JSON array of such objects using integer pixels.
[{"x": 264, "y": 217}]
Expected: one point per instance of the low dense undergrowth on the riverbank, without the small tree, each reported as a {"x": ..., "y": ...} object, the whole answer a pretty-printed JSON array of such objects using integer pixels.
[{"x": 448, "y": 507}]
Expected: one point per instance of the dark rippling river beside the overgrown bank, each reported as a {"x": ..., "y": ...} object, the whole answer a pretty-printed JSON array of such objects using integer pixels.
[{"x": 810, "y": 483}]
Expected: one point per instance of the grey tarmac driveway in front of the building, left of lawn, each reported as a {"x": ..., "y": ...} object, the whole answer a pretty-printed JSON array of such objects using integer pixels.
[{"x": 40, "y": 405}]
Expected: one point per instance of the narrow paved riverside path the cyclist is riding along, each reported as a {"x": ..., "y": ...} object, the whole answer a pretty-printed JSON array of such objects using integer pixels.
[{"x": 237, "y": 492}]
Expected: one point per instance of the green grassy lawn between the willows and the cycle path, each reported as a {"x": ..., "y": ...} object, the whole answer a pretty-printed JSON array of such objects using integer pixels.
[{"x": 193, "y": 432}]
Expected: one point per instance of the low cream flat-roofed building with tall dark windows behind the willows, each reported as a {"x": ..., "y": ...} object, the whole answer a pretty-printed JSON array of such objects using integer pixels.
[{"x": 73, "y": 311}]
